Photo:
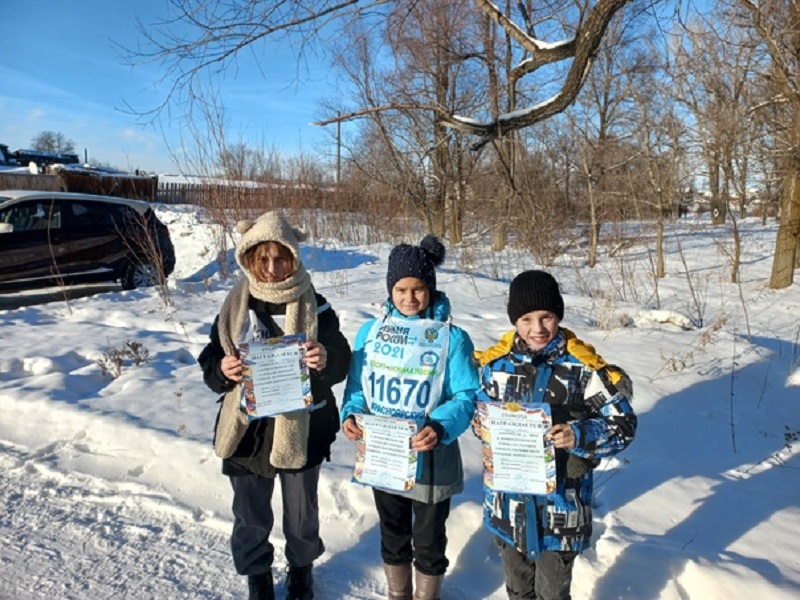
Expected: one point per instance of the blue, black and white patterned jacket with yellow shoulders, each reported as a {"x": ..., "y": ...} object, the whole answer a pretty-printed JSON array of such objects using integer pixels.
[{"x": 604, "y": 423}]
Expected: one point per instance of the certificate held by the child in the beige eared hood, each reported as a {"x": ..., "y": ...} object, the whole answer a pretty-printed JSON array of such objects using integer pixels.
[{"x": 275, "y": 378}]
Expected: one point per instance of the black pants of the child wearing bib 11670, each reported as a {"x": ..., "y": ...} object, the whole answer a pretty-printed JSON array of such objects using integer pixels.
[{"x": 413, "y": 531}]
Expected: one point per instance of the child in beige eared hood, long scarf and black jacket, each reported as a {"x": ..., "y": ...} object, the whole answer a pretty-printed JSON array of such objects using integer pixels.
[{"x": 274, "y": 297}]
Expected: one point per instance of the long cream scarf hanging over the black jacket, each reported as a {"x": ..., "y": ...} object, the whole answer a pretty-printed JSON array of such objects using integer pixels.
[{"x": 291, "y": 429}]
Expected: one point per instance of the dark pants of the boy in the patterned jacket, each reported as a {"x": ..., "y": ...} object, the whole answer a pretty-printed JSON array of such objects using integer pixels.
[{"x": 549, "y": 577}]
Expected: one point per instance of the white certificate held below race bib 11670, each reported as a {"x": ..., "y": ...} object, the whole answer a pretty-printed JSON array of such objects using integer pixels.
[{"x": 384, "y": 458}]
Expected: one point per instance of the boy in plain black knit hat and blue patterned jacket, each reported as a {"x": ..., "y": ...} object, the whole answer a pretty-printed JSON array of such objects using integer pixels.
[{"x": 539, "y": 536}]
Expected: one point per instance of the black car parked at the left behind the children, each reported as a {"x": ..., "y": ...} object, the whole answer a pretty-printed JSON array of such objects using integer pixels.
[{"x": 60, "y": 238}]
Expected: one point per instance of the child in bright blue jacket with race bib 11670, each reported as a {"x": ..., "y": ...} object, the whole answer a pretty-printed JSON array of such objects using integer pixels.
[{"x": 442, "y": 403}]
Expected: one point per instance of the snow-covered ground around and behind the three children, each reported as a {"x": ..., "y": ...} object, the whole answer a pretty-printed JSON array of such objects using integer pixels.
[{"x": 109, "y": 487}]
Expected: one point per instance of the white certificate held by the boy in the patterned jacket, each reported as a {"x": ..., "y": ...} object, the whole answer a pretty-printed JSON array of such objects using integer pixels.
[{"x": 520, "y": 458}]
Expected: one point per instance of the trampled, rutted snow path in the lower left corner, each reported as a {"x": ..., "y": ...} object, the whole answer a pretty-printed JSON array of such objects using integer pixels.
[{"x": 78, "y": 537}]
